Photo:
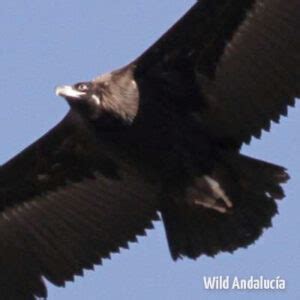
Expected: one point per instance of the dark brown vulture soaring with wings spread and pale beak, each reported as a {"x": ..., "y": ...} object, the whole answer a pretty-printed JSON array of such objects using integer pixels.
[{"x": 157, "y": 138}]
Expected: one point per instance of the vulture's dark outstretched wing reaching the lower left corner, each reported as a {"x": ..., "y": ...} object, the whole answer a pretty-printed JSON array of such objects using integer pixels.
[{"x": 66, "y": 203}]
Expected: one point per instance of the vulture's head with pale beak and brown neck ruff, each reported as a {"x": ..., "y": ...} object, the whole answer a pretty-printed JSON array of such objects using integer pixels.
[{"x": 114, "y": 95}]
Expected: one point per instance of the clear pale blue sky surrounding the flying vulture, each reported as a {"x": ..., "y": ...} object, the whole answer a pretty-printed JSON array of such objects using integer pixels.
[{"x": 47, "y": 43}]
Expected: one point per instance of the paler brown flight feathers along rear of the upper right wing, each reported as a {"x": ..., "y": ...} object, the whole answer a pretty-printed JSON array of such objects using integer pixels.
[{"x": 258, "y": 76}]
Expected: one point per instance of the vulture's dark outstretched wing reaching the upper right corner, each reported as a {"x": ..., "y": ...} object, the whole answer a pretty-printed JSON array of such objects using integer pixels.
[{"x": 239, "y": 59}]
